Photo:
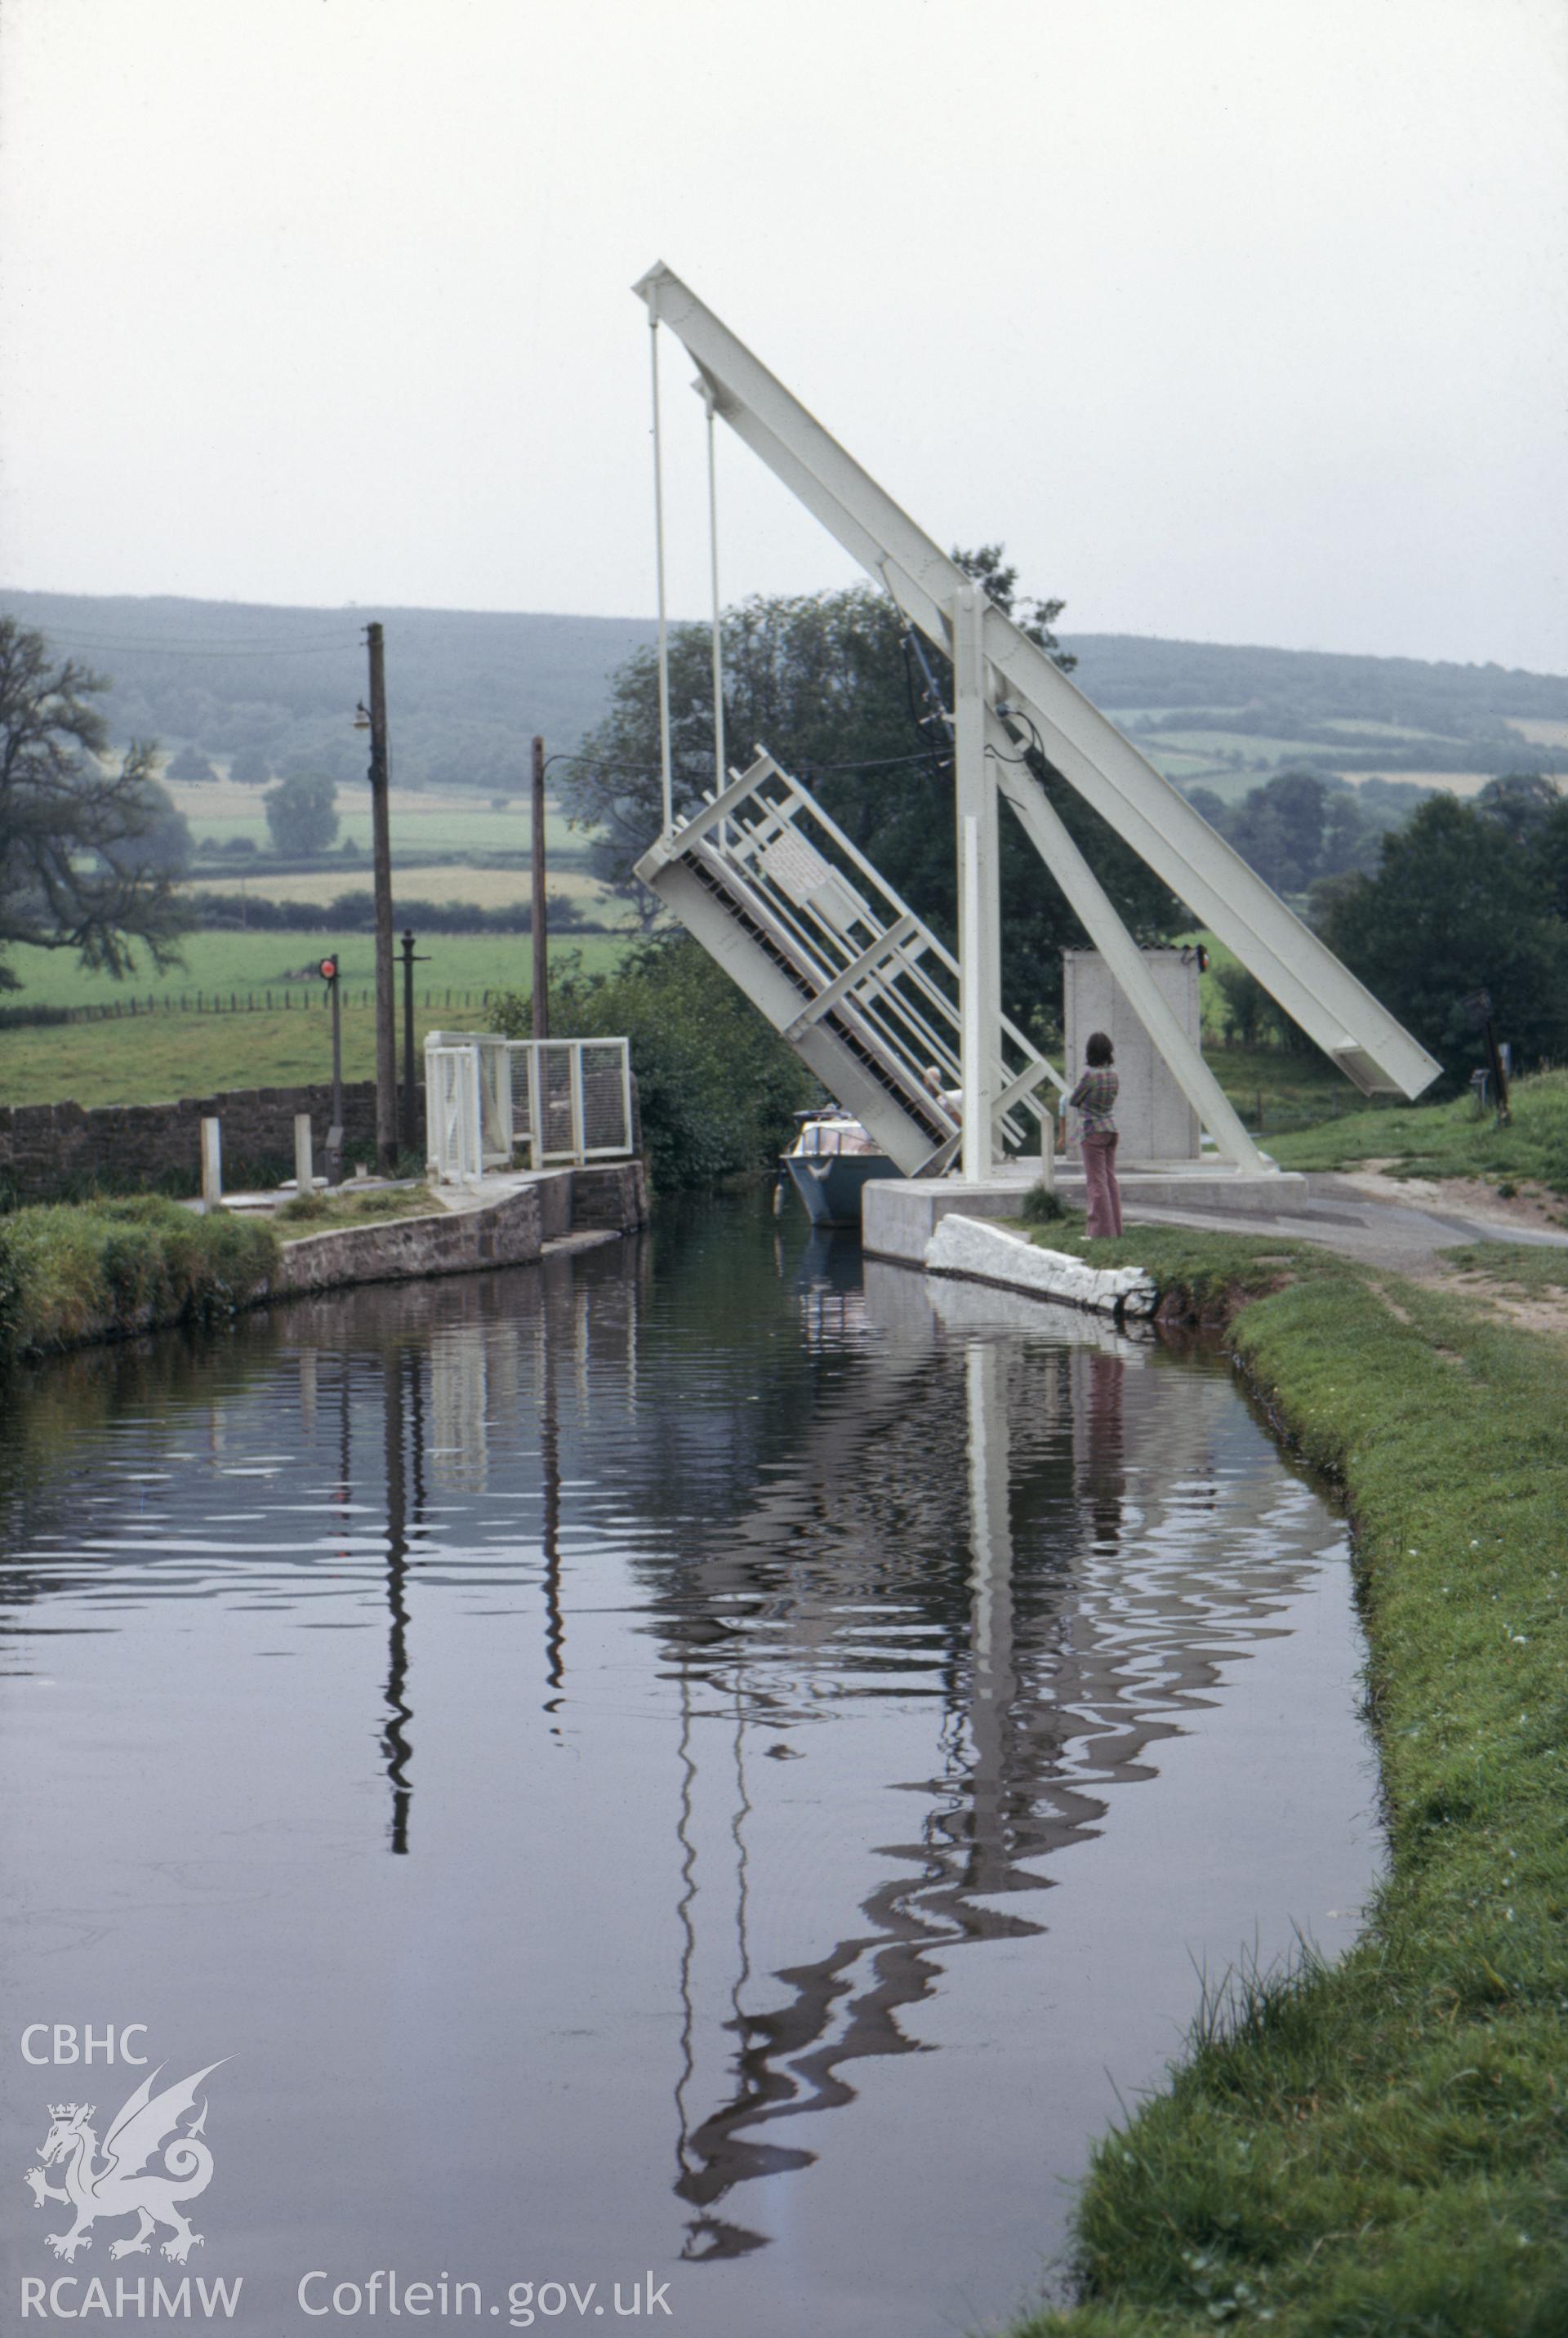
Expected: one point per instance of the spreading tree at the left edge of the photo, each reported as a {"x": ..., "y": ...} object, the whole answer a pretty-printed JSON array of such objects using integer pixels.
[{"x": 83, "y": 848}]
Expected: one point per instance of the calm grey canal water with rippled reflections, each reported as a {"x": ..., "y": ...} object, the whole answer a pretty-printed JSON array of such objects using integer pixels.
[{"x": 712, "y": 1769}]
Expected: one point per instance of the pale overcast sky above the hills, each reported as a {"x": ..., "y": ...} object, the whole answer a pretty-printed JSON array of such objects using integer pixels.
[{"x": 1235, "y": 319}]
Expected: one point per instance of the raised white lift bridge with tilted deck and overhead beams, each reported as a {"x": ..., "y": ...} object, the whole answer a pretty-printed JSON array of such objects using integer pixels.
[{"x": 838, "y": 962}]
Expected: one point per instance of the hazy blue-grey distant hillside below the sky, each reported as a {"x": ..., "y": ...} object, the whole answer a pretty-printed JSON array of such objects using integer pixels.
[{"x": 469, "y": 691}]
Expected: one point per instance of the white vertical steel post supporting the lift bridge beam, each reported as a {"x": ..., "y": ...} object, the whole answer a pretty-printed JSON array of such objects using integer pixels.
[{"x": 980, "y": 946}]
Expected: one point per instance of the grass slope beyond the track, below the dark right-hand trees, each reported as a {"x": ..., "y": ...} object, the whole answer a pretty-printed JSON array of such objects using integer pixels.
[{"x": 1445, "y": 1140}]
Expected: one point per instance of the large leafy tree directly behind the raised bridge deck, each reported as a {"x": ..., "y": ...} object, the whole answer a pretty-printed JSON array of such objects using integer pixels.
[{"x": 838, "y": 689}]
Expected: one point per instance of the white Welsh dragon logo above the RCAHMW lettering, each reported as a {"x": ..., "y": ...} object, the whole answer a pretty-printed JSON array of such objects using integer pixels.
[{"x": 120, "y": 2183}]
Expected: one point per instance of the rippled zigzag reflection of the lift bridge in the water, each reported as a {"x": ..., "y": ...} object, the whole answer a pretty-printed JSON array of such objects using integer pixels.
[{"x": 1057, "y": 1685}]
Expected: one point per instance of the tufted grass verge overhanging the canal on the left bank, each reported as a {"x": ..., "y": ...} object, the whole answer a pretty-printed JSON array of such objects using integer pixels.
[{"x": 106, "y": 1268}]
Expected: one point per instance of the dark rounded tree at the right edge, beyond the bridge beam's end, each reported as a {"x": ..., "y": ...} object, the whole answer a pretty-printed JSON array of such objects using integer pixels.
[{"x": 1457, "y": 906}]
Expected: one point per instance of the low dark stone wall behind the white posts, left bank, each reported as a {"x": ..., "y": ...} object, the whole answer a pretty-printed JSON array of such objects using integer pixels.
[{"x": 50, "y": 1151}]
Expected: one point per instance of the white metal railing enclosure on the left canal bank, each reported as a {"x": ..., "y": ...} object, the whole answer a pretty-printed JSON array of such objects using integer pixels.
[{"x": 546, "y": 1105}]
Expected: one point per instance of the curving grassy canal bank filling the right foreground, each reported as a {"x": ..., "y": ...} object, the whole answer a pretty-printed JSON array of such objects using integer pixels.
[{"x": 1385, "y": 2145}]
